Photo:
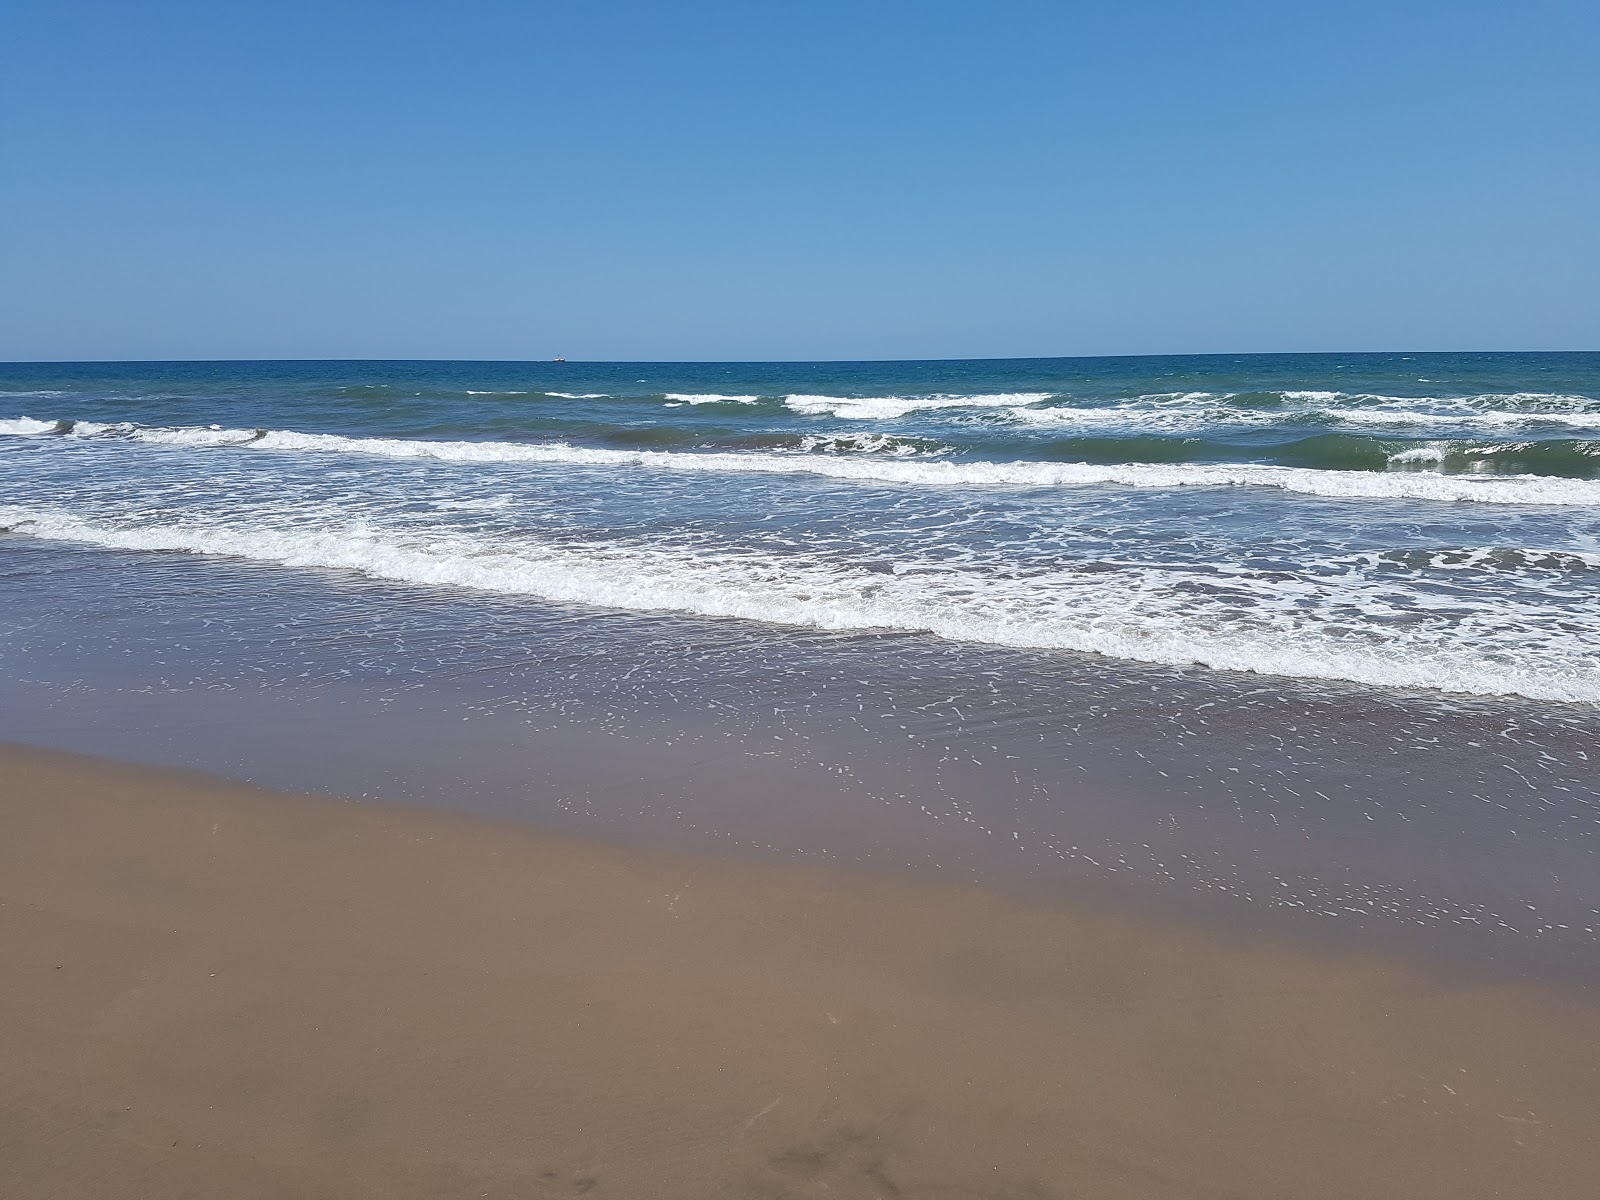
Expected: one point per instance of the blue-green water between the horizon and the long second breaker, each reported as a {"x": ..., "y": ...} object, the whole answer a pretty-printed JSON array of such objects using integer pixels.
[{"x": 1534, "y": 414}]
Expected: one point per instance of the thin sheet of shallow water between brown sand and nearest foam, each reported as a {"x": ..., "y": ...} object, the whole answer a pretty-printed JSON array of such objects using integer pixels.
[{"x": 1465, "y": 828}]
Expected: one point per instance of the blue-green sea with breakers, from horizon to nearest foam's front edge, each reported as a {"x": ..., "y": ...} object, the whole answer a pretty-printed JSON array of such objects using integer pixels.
[{"x": 1393, "y": 521}]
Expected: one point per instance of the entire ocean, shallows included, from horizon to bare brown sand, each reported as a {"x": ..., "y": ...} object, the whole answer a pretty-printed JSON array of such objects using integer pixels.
[{"x": 1316, "y": 633}]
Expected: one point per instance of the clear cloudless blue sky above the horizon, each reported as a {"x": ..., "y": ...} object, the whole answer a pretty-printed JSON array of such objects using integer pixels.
[{"x": 796, "y": 182}]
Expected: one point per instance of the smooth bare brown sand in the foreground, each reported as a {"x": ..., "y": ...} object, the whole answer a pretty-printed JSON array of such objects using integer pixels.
[{"x": 210, "y": 991}]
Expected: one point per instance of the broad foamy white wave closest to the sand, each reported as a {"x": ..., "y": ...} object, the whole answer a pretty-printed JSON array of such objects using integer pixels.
[{"x": 1167, "y": 626}]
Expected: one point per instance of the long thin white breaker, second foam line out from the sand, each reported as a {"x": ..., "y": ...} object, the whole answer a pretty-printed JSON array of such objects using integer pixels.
[{"x": 1486, "y": 489}]
